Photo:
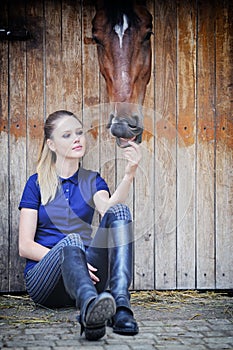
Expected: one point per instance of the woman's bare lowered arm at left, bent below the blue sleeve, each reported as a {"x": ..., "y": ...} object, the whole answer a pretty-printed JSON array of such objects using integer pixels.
[{"x": 28, "y": 248}]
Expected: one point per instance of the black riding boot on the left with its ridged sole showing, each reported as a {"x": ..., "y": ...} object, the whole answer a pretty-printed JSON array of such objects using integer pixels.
[{"x": 95, "y": 309}]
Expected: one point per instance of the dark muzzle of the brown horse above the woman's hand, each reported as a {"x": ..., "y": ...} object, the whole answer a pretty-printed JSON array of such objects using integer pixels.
[{"x": 125, "y": 130}]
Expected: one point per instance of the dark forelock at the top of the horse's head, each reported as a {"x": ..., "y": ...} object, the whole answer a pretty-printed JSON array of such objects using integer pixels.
[{"x": 115, "y": 9}]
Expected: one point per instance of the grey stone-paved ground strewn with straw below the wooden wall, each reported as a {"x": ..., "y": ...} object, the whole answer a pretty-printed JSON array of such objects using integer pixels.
[{"x": 171, "y": 320}]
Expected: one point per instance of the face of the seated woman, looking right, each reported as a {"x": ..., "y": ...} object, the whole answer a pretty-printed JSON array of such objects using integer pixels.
[{"x": 68, "y": 140}]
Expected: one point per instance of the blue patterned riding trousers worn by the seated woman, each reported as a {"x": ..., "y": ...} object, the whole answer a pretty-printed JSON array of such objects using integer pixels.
[{"x": 44, "y": 281}]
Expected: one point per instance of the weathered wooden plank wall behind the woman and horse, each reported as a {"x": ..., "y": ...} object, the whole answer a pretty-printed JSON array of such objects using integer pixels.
[{"x": 182, "y": 198}]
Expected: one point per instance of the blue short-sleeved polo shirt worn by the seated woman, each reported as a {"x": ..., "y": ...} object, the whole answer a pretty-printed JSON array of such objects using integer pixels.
[{"x": 71, "y": 210}]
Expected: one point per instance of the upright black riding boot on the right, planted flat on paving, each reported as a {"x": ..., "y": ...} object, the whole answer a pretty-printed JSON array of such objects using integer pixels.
[{"x": 121, "y": 261}]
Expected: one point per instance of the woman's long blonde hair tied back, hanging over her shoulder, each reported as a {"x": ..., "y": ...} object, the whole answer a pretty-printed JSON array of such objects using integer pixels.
[{"x": 46, "y": 168}]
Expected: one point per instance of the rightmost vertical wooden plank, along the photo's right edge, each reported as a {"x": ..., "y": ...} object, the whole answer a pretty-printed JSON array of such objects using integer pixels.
[{"x": 224, "y": 147}]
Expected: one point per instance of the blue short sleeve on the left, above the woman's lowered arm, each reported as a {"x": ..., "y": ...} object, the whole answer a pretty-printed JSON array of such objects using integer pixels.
[{"x": 31, "y": 197}]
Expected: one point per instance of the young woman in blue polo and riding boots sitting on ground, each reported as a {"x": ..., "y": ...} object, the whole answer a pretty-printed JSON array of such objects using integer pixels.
[{"x": 65, "y": 265}]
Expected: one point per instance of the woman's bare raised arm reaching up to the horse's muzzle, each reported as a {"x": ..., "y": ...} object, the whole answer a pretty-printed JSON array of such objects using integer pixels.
[{"x": 101, "y": 198}]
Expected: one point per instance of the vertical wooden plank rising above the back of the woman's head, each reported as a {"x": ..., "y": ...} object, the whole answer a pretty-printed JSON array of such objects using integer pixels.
[{"x": 53, "y": 56}]
